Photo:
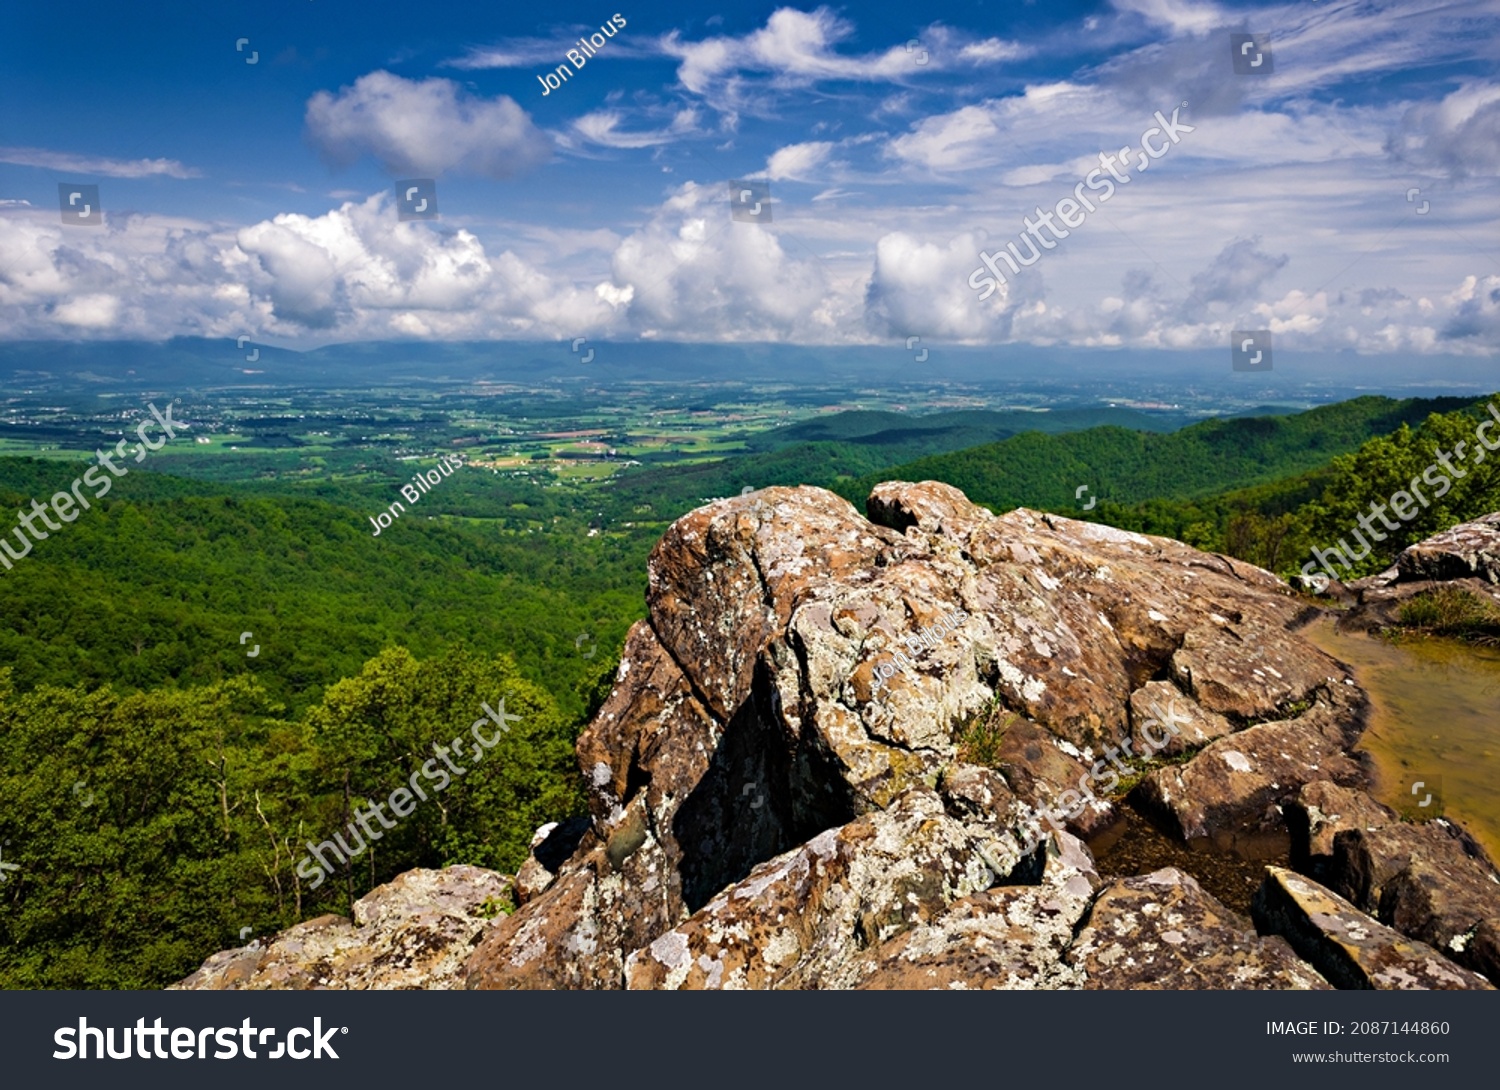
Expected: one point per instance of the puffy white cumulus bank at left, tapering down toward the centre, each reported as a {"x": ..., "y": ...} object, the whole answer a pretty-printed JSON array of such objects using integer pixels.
[{"x": 355, "y": 272}]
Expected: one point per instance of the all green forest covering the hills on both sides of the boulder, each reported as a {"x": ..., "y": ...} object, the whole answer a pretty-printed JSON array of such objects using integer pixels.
[{"x": 161, "y": 782}]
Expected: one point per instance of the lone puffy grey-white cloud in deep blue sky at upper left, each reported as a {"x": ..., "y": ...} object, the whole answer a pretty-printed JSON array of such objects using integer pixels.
[{"x": 425, "y": 128}]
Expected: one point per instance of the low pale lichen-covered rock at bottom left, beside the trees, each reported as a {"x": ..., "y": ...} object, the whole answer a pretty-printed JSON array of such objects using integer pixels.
[{"x": 415, "y": 932}]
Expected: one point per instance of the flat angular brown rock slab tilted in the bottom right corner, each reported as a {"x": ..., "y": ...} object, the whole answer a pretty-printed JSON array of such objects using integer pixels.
[{"x": 1346, "y": 945}]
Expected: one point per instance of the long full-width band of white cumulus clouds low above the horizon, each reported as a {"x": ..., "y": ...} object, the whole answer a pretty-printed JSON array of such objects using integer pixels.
[{"x": 688, "y": 274}]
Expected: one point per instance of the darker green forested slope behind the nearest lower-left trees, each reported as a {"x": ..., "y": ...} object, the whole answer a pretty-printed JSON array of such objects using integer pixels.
[{"x": 158, "y": 584}]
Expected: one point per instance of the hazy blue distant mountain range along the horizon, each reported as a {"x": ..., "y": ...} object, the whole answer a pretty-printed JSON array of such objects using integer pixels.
[{"x": 188, "y": 362}]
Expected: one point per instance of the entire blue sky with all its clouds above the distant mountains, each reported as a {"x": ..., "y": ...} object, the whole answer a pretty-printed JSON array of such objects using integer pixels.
[{"x": 899, "y": 143}]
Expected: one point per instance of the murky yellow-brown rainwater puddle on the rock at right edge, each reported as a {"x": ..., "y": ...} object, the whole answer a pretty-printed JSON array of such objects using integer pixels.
[{"x": 1436, "y": 713}]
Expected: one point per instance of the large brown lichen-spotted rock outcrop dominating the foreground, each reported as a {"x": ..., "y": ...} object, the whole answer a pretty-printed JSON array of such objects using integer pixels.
[{"x": 869, "y": 753}]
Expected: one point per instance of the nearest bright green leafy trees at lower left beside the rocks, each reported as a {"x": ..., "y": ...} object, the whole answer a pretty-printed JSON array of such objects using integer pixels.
[{"x": 154, "y": 828}]
